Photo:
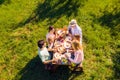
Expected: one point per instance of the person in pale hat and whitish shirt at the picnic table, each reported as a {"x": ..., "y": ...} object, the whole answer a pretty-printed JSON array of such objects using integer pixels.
[{"x": 74, "y": 29}]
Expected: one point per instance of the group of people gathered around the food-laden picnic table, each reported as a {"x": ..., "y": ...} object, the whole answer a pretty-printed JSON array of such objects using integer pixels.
[{"x": 63, "y": 46}]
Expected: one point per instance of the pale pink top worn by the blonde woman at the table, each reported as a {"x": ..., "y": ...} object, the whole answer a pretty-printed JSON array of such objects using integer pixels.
[{"x": 79, "y": 56}]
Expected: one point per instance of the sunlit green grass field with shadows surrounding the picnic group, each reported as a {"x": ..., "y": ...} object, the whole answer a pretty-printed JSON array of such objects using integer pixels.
[{"x": 24, "y": 22}]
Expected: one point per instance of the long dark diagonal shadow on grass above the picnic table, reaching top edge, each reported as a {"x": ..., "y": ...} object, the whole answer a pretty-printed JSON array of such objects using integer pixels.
[{"x": 53, "y": 10}]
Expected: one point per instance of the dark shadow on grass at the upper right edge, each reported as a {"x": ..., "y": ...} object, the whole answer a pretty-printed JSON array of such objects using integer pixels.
[{"x": 112, "y": 21}]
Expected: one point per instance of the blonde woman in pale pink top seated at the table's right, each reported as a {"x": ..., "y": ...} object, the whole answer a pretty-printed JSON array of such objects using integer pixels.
[{"x": 78, "y": 54}]
